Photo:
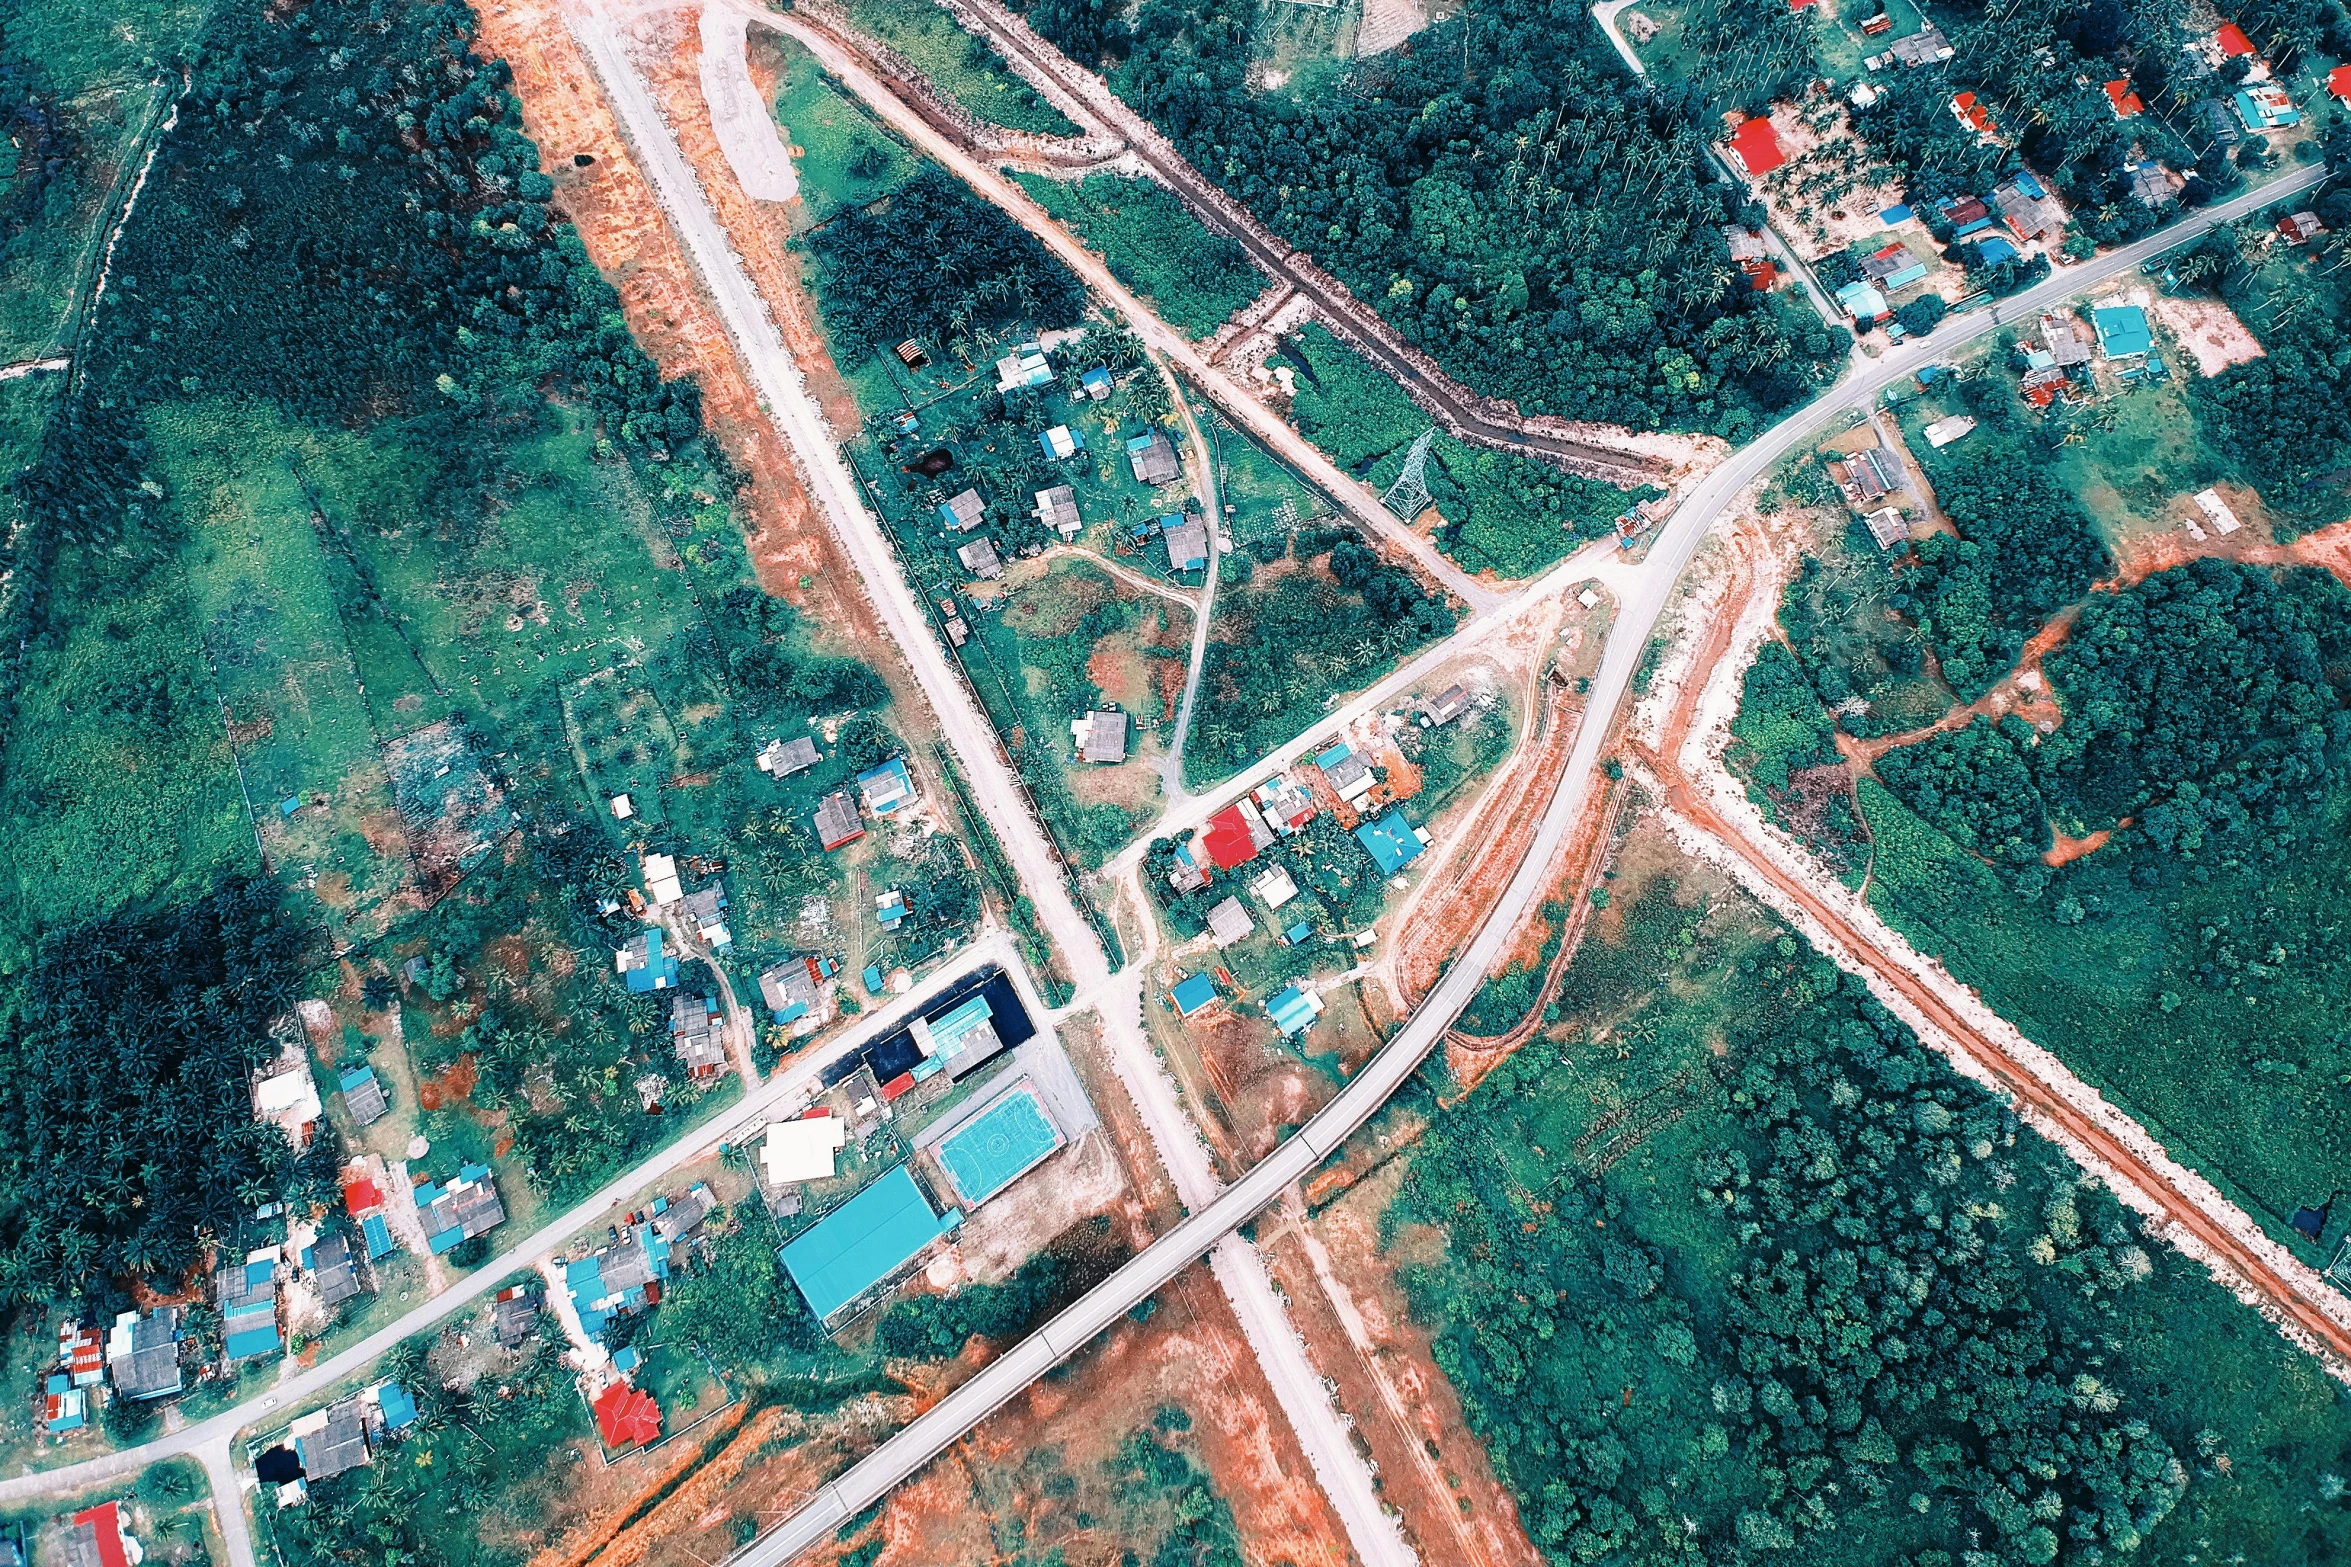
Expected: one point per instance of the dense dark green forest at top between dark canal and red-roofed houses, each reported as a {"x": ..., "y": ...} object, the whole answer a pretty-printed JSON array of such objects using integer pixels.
[{"x": 1508, "y": 201}]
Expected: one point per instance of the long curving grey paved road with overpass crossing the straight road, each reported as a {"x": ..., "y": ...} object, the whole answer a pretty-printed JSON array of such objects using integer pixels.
[{"x": 1061, "y": 1338}]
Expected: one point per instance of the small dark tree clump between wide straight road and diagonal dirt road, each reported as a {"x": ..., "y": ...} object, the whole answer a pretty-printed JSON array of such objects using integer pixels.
[{"x": 937, "y": 264}]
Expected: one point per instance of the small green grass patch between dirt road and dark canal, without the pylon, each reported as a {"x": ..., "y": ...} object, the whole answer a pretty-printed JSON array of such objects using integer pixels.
[{"x": 1191, "y": 278}]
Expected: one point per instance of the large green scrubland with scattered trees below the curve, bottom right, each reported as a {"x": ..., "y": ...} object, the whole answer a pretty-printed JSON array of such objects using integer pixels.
[{"x": 1732, "y": 1265}]
